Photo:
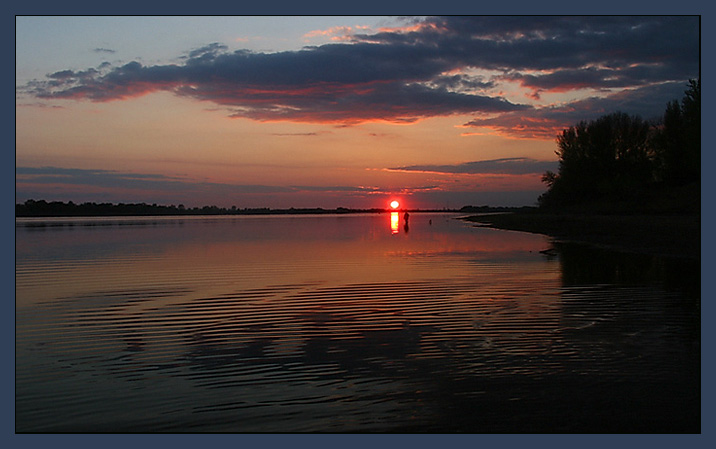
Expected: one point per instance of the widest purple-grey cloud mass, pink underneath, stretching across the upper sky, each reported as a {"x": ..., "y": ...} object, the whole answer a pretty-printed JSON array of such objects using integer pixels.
[{"x": 403, "y": 75}]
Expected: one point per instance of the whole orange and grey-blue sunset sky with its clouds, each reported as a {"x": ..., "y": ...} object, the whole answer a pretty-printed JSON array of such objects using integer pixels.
[{"x": 326, "y": 111}]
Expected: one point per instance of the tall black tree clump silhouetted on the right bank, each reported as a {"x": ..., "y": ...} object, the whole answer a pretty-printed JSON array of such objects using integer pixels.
[{"x": 621, "y": 163}]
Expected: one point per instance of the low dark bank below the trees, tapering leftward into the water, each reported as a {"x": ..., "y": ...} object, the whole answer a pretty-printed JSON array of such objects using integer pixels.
[{"x": 670, "y": 235}]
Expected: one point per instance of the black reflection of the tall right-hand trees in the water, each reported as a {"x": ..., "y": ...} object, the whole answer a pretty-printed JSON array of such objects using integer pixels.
[{"x": 633, "y": 323}]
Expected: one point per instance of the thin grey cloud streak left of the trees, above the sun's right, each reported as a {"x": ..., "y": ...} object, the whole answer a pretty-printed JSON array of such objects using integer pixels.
[{"x": 507, "y": 166}]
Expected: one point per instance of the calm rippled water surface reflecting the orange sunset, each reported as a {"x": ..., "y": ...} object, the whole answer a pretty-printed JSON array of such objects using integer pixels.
[{"x": 347, "y": 323}]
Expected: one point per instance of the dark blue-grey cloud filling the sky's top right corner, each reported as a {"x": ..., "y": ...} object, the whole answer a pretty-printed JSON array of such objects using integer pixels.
[{"x": 557, "y": 42}]
